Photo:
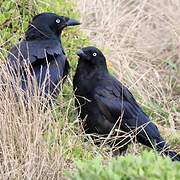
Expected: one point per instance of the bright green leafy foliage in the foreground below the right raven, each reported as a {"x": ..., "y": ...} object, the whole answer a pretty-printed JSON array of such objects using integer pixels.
[{"x": 148, "y": 166}]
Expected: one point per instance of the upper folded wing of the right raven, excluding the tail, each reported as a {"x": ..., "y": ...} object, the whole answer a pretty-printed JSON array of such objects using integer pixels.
[{"x": 115, "y": 99}]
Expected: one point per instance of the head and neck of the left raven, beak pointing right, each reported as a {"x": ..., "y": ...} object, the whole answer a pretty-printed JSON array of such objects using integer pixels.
[{"x": 48, "y": 25}]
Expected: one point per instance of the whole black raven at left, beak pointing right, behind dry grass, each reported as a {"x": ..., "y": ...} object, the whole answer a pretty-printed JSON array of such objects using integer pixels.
[{"x": 42, "y": 53}]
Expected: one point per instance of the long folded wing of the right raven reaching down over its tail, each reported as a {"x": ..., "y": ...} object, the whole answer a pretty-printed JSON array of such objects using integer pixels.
[{"x": 116, "y": 102}]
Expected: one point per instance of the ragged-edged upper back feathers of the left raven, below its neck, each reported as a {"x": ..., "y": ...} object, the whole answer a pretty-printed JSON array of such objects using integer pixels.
[{"x": 32, "y": 51}]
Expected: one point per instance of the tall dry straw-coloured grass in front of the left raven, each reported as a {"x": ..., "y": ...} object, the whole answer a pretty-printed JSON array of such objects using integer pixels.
[{"x": 24, "y": 150}]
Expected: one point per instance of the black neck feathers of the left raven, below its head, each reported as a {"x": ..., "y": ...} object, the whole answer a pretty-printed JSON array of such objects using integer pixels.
[{"x": 39, "y": 33}]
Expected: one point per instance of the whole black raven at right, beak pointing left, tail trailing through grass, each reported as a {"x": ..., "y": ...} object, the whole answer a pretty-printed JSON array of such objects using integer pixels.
[{"x": 106, "y": 106}]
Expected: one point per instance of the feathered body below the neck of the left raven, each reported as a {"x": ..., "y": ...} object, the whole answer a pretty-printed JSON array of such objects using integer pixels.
[{"x": 47, "y": 62}]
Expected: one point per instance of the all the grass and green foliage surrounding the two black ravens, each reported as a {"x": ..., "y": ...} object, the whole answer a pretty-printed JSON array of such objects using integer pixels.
[{"x": 141, "y": 40}]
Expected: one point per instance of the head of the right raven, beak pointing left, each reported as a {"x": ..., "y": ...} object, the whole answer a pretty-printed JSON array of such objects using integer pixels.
[{"x": 92, "y": 56}]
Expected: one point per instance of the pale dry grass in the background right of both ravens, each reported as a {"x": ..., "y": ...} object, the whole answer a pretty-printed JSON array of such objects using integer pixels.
[{"x": 142, "y": 38}]
